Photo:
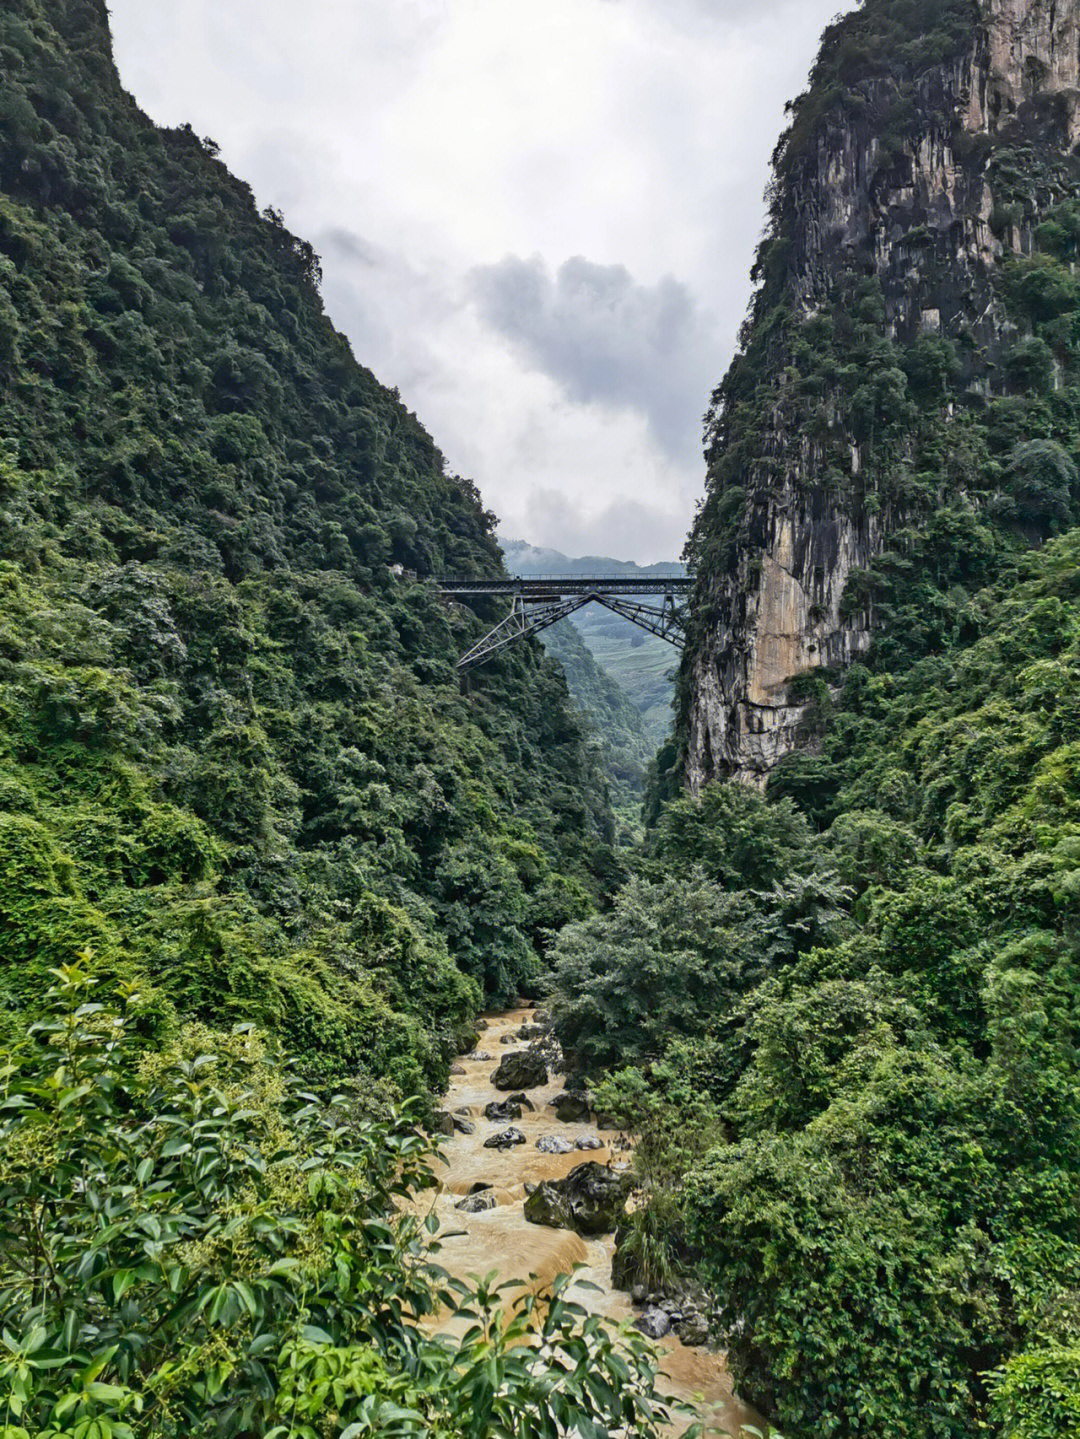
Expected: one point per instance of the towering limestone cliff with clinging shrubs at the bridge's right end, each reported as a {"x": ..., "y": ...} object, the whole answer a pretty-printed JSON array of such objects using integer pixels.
[{"x": 931, "y": 142}]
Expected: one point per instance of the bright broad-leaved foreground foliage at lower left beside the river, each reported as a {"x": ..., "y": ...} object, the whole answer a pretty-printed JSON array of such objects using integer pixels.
[{"x": 195, "y": 1247}]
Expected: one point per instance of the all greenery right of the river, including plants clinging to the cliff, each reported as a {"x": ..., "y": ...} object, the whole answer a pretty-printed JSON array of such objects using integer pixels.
[{"x": 869, "y": 981}]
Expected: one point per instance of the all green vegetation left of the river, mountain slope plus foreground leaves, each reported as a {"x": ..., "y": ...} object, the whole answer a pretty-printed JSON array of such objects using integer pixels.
[{"x": 241, "y": 782}]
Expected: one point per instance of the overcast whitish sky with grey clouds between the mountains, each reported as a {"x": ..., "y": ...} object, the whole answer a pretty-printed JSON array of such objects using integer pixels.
[{"x": 537, "y": 219}]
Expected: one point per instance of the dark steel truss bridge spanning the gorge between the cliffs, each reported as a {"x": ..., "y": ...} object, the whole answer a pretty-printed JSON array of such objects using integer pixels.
[{"x": 540, "y": 602}]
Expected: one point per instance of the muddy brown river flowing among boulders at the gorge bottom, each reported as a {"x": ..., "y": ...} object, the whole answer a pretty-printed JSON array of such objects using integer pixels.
[{"x": 501, "y": 1240}]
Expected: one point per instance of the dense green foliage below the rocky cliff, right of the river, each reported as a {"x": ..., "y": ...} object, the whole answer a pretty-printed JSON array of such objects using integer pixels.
[{"x": 895, "y": 1212}]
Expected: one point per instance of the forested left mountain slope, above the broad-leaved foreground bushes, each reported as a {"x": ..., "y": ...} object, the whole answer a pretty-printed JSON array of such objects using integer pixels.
[{"x": 234, "y": 755}]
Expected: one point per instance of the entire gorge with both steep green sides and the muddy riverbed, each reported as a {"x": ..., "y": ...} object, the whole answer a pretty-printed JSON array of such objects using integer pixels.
[{"x": 265, "y": 863}]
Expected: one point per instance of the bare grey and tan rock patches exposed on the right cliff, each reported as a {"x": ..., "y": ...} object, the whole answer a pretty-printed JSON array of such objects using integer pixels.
[{"x": 923, "y": 224}]
